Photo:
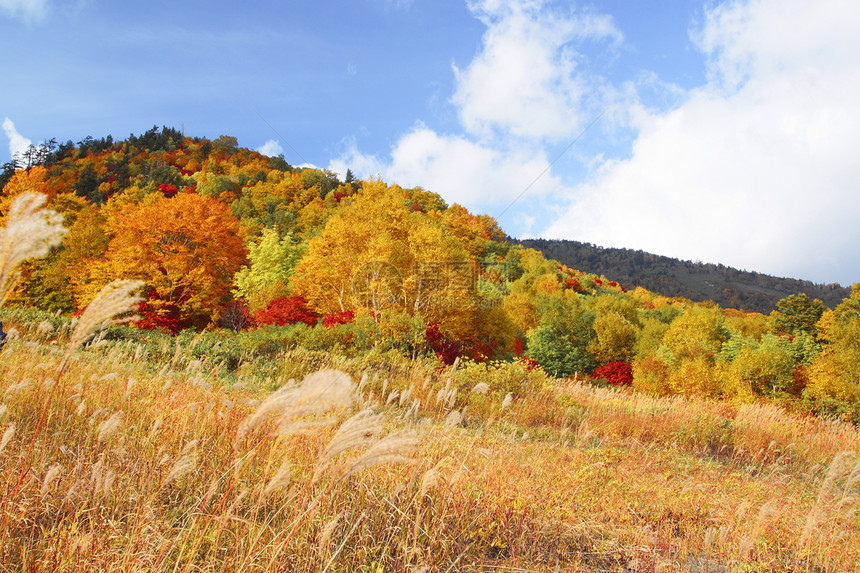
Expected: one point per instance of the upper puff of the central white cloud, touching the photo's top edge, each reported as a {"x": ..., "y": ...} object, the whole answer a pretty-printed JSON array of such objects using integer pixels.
[{"x": 524, "y": 81}]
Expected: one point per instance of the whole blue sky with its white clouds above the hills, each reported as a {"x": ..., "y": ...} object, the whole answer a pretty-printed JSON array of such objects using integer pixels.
[{"x": 725, "y": 131}]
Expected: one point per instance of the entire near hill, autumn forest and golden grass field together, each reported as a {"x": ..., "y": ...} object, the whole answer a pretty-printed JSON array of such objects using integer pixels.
[{"x": 218, "y": 362}]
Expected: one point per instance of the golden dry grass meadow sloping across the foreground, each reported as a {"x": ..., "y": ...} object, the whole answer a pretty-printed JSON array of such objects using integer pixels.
[{"x": 123, "y": 455}]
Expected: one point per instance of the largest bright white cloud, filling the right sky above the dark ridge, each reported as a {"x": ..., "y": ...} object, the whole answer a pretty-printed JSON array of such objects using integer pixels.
[{"x": 757, "y": 169}]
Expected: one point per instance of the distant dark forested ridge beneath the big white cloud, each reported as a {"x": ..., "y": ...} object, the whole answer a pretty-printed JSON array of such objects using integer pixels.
[{"x": 700, "y": 282}]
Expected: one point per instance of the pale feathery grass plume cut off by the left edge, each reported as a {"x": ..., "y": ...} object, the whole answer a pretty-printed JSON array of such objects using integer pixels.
[{"x": 30, "y": 232}]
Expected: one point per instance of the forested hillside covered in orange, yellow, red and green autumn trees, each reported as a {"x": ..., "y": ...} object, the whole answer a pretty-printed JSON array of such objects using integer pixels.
[{"x": 259, "y": 256}]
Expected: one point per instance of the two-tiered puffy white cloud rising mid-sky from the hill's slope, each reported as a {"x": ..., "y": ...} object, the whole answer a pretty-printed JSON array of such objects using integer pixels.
[{"x": 522, "y": 88}]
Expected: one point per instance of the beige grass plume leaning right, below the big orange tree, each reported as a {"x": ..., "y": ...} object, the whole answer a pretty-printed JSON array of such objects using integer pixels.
[{"x": 113, "y": 300}]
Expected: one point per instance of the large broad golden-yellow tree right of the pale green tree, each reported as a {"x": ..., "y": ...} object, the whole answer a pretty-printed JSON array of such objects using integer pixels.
[{"x": 376, "y": 253}]
